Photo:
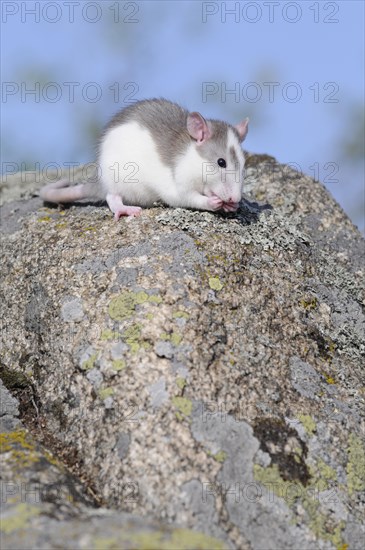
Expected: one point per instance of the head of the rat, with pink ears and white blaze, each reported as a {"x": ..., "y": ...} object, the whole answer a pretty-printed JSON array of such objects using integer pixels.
[{"x": 219, "y": 145}]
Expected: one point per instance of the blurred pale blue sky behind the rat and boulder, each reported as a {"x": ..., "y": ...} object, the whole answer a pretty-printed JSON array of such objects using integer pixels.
[{"x": 309, "y": 51}]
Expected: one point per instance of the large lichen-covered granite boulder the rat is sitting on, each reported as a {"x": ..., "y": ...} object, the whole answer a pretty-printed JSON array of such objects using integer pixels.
[{"x": 200, "y": 369}]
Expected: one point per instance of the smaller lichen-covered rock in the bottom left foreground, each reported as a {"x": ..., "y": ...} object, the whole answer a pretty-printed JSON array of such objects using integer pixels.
[{"x": 44, "y": 506}]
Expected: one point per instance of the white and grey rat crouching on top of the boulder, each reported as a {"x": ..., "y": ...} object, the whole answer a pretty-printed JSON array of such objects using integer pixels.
[{"x": 156, "y": 150}]
